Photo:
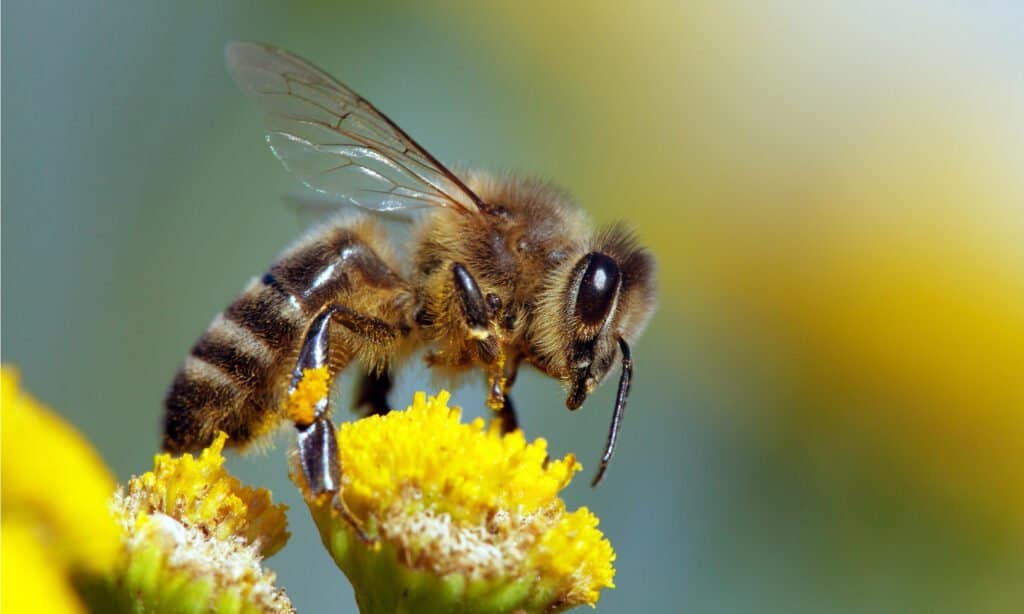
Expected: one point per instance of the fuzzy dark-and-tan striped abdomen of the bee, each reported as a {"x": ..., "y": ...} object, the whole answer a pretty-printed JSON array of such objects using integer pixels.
[{"x": 237, "y": 375}]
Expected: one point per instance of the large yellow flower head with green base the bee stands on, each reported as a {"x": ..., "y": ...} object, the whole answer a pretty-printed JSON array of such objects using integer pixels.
[{"x": 463, "y": 518}]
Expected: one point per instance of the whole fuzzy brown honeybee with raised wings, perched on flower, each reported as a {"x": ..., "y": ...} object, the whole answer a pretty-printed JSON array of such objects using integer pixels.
[{"x": 503, "y": 272}]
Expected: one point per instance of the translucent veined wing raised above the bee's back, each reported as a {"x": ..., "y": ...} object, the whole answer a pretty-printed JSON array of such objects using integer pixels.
[{"x": 337, "y": 143}]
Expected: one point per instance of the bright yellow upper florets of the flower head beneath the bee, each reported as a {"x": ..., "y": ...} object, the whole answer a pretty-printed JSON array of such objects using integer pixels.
[{"x": 465, "y": 471}]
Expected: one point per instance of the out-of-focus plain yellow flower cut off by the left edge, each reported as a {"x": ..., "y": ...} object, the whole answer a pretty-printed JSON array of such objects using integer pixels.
[{"x": 56, "y": 520}]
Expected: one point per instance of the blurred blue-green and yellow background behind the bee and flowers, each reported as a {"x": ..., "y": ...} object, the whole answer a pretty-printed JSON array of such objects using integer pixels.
[{"x": 829, "y": 408}]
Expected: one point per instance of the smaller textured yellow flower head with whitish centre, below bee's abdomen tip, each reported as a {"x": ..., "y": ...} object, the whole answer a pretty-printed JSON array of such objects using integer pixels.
[{"x": 197, "y": 538}]
